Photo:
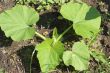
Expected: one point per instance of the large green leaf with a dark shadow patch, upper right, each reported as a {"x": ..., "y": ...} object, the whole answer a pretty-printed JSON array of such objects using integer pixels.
[{"x": 86, "y": 19}]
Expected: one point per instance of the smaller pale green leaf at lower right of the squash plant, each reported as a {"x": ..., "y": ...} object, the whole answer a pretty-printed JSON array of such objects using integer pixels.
[{"x": 78, "y": 57}]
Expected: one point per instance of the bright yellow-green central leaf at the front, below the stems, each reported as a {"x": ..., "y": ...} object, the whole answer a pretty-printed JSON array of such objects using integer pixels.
[{"x": 49, "y": 55}]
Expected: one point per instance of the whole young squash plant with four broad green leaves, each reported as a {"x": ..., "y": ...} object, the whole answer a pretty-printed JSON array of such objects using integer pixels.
[{"x": 18, "y": 23}]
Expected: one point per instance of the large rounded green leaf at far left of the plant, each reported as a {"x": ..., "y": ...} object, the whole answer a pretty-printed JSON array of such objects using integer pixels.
[{"x": 17, "y": 22}]
